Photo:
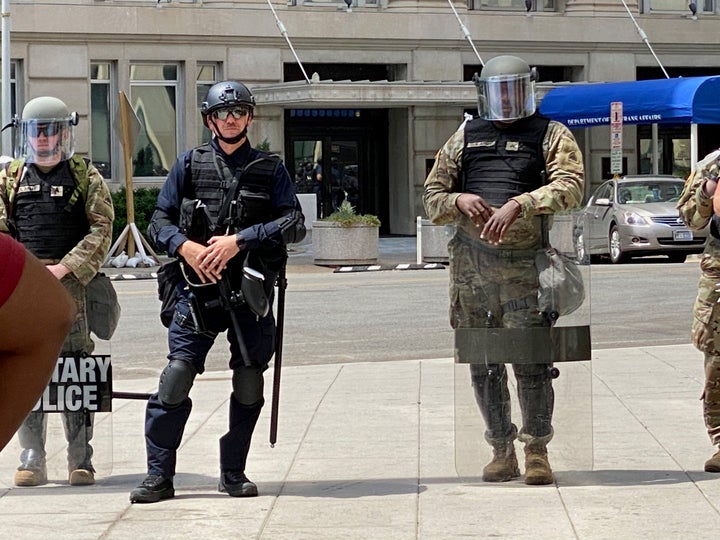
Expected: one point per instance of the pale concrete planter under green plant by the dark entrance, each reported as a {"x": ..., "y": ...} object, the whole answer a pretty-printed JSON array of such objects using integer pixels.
[{"x": 334, "y": 244}]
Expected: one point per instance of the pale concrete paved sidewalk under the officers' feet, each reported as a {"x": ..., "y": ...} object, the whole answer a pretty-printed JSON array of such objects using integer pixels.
[{"x": 367, "y": 451}]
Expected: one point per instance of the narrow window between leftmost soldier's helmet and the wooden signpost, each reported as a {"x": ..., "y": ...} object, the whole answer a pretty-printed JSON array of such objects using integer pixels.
[{"x": 102, "y": 82}]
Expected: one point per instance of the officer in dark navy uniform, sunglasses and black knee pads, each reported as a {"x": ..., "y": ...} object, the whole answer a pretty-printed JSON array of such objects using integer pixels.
[{"x": 224, "y": 207}]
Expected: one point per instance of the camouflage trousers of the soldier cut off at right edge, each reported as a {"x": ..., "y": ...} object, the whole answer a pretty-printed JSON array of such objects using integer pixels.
[{"x": 706, "y": 337}]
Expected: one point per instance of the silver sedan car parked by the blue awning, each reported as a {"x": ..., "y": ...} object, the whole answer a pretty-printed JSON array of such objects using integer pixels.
[{"x": 635, "y": 216}]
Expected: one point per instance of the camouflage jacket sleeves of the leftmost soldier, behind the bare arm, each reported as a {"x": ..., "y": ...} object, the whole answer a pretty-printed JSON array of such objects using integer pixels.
[{"x": 86, "y": 258}]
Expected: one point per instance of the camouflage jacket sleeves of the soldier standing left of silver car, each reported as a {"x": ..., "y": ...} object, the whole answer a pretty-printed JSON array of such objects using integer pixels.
[{"x": 563, "y": 191}]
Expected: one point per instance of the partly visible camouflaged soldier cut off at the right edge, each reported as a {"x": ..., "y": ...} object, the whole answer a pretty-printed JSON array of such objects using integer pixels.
[{"x": 696, "y": 209}]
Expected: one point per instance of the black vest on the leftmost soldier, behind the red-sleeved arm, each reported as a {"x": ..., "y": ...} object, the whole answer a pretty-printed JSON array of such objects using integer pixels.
[{"x": 43, "y": 218}]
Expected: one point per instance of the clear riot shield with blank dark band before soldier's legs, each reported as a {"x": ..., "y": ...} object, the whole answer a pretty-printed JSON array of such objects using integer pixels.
[{"x": 499, "y": 367}]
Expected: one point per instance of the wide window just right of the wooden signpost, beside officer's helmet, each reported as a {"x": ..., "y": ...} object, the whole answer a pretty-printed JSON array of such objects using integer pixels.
[{"x": 154, "y": 97}]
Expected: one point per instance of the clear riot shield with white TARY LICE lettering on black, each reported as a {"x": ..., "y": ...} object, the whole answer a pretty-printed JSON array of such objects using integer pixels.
[{"x": 70, "y": 427}]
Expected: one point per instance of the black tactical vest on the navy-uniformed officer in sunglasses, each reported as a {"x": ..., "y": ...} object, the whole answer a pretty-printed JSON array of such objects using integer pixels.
[{"x": 212, "y": 178}]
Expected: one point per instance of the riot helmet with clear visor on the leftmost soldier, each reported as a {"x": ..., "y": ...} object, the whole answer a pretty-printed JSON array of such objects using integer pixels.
[{"x": 45, "y": 134}]
